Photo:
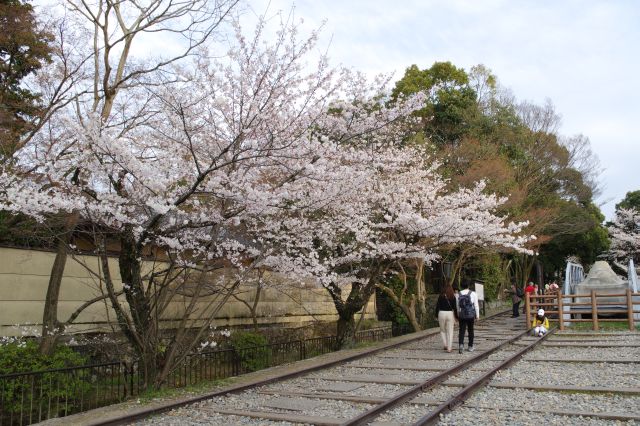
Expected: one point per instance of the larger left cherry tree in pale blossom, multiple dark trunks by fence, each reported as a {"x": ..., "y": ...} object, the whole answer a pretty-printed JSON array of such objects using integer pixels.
[{"x": 229, "y": 142}]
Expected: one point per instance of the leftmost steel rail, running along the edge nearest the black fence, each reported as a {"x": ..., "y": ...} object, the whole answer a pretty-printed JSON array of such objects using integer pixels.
[{"x": 144, "y": 413}]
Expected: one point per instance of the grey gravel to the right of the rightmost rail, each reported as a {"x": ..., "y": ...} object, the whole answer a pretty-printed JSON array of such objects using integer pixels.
[{"x": 556, "y": 373}]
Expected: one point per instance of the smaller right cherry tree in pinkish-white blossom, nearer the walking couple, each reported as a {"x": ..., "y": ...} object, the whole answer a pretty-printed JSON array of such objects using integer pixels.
[{"x": 394, "y": 207}]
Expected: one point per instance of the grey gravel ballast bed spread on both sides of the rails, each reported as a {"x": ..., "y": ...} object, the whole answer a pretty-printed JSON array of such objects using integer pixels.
[{"x": 489, "y": 405}]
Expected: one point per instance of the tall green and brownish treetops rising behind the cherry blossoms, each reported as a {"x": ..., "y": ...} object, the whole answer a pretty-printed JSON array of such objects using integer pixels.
[{"x": 513, "y": 147}]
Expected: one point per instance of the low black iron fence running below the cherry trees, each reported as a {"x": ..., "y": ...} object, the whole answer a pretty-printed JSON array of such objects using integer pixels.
[{"x": 32, "y": 397}]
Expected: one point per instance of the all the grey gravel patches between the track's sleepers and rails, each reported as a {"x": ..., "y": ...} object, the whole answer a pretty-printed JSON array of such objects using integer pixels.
[{"x": 524, "y": 372}]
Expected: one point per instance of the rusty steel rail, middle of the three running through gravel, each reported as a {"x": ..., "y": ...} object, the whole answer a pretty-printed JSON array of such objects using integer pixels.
[{"x": 399, "y": 399}]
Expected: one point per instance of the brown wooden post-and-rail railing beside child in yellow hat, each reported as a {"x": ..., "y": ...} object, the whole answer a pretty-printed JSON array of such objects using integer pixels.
[{"x": 565, "y": 307}]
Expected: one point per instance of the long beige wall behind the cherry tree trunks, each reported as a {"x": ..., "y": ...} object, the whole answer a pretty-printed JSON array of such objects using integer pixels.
[{"x": 24, "y": 276}]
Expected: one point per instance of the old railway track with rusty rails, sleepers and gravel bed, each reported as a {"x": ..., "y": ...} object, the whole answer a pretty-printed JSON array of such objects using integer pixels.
[{"x": 419, "y": 383}]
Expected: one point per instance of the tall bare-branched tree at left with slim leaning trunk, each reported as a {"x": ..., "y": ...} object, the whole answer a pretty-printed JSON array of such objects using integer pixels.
[{"x": 93, "y": 65}]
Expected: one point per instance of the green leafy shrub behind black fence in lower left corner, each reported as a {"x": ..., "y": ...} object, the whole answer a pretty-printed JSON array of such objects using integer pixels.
[{"x": 26, "y": 393}]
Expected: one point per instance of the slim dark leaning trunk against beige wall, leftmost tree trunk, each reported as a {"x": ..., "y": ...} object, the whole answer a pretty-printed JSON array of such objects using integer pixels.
[{"x": 50, "y": 324}]
